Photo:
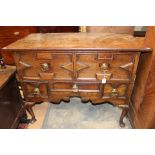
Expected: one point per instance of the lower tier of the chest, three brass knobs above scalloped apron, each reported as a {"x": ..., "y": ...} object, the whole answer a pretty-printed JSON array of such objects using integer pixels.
[{"x": 115, "y": 93}]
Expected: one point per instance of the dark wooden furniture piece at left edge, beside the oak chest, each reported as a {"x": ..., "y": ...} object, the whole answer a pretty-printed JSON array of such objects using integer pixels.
[{"x": 11, "y": 104}]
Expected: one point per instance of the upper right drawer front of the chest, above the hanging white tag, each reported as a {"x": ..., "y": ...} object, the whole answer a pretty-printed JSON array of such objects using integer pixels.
[{"x": 112, "y": 66}]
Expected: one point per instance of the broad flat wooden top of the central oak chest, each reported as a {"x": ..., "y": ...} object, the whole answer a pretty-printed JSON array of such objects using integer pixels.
[{"x": 58, "y": 41}]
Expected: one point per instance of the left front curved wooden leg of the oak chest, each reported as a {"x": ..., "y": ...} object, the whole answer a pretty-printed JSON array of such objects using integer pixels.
[{"x": 28, "y": 107}]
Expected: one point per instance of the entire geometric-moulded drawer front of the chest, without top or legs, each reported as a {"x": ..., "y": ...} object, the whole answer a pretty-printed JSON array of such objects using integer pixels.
[{"x": 52, "y": 76}]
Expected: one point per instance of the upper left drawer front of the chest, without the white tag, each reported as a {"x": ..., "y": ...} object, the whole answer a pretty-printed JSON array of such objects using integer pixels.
[{"x": 44, "y": 66}]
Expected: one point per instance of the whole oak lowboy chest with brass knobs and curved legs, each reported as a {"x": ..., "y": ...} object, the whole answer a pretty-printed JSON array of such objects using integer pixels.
[{"x": 95, "y": 67}]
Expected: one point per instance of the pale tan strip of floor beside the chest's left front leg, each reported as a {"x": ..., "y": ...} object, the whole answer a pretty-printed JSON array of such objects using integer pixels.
[{"x": 40, "y": 111}]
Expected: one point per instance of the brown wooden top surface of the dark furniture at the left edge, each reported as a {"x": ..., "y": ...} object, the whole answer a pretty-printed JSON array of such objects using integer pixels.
[{"x": 5, "y": 74}]
